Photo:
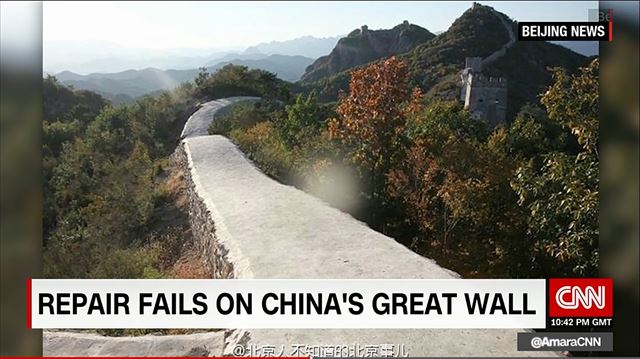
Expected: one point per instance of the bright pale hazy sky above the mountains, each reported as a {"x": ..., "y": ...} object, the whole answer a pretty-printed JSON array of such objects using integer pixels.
[{"x": 77, "y": 34}]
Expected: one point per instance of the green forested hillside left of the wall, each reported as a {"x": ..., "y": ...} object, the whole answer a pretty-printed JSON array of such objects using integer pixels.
[{"x": 114, "y": 204}]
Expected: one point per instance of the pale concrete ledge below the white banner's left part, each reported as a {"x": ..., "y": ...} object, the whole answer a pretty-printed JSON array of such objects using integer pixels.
[{"x": 84, "y": 344}]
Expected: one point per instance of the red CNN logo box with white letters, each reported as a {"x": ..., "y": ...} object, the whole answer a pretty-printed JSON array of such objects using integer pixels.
[{"x": 581, "y": 297}]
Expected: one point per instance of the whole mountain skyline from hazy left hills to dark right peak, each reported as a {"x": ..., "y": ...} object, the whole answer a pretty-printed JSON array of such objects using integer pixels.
[{"x": 434, "y": 61}]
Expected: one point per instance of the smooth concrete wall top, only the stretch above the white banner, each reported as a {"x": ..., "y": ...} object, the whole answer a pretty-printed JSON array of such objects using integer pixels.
[{"x": 278, "y": 231}]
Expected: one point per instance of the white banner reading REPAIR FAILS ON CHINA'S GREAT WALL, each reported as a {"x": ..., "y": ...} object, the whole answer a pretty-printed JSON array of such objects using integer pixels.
[{"x": 287, "y": 303}]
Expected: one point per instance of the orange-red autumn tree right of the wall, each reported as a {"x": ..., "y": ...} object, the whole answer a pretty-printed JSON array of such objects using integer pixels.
[{"x": 372, "y": 118}]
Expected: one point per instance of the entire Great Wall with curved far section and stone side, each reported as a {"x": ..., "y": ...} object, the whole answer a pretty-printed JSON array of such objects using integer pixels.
[{"x": 247, "y": 225}]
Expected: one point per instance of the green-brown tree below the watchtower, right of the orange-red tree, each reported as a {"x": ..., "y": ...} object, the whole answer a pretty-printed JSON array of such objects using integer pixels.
[{"x": 453, "y": 182}]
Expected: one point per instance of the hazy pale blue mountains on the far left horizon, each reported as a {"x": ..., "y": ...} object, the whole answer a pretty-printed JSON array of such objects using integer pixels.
[{"x": 131, "y": 73}]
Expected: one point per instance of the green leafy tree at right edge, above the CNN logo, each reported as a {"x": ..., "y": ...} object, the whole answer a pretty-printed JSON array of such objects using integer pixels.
[{"x": 562, "y": 195}]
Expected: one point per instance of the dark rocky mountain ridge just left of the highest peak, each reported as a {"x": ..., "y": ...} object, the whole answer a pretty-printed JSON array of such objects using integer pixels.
[{"x": 363, "y": 45}]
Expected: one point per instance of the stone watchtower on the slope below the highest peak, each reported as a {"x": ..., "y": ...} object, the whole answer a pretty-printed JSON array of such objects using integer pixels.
[{"x": 485, "y": 97}]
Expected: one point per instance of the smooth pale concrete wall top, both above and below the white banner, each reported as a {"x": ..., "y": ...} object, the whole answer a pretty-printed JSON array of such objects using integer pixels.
[{"x": 275, "y": 231}]
